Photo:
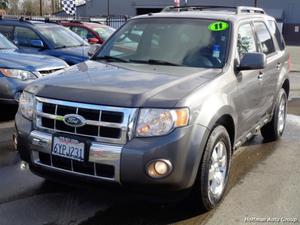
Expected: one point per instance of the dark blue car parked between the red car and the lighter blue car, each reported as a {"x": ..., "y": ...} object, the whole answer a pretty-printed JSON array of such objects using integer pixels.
[{"x": 46, "y": 38}]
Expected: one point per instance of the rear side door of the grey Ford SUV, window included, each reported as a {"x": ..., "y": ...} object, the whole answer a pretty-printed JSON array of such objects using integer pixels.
[{"x": 270, "y": 74}]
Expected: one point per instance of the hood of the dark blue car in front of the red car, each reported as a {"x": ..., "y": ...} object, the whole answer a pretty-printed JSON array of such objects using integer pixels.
[{"x": 72, "y": 55}]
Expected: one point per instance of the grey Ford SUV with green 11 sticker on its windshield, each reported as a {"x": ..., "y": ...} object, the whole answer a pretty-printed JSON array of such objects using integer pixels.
[{"x": 163, "y": 104}]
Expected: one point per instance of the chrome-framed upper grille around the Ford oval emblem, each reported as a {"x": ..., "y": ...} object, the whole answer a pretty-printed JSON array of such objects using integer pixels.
[{"x": 106, "y": 124}]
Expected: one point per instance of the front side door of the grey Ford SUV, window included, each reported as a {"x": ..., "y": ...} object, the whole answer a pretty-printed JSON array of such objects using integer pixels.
[{"x": 248, "y": 83}]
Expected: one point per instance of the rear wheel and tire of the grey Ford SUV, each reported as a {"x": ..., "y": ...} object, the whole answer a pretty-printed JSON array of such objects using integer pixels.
[{"x": 273, "y": 130}]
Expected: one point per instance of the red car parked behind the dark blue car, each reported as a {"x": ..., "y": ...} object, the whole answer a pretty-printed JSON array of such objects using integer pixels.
[{"x": 94, "y": 33}]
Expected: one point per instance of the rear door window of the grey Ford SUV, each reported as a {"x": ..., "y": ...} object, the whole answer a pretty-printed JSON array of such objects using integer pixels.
[{"x": 264, "y": 38}]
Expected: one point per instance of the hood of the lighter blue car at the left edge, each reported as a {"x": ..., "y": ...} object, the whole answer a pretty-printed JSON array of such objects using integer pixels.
[{"x": 14, "y": 59}]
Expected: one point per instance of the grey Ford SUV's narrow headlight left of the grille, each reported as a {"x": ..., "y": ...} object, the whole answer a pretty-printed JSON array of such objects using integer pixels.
[{"x": 27, "y": 105}]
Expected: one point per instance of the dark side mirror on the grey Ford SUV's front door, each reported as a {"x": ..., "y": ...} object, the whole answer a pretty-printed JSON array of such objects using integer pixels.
[{"x": 253, "y": 61}]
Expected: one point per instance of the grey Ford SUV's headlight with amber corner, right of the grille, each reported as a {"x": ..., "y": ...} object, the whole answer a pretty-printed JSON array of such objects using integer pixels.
[{"x": 157, "y": 122}]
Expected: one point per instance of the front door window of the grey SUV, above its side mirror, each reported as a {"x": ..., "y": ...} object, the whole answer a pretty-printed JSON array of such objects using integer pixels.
[{"x": 246, "y": 40}]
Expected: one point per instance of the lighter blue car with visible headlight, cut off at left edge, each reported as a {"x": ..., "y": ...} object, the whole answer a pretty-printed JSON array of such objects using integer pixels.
[{"x": 19, "y": 69}]
